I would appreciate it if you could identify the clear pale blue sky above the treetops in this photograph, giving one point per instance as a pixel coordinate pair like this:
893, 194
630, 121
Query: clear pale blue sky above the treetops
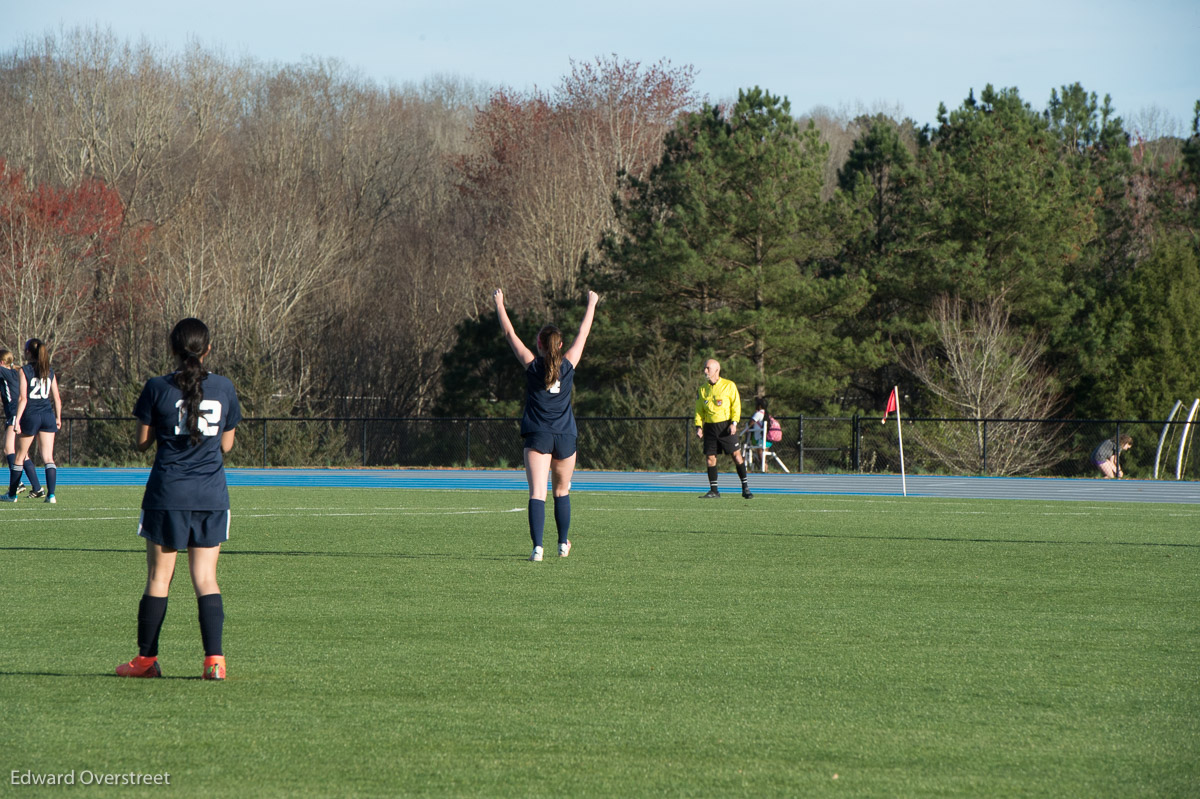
873, 55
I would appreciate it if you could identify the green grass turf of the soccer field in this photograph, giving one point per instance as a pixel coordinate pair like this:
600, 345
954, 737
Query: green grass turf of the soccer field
399, 644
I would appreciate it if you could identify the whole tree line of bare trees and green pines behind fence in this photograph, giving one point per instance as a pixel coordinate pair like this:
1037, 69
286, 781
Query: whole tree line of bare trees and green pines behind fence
343, 239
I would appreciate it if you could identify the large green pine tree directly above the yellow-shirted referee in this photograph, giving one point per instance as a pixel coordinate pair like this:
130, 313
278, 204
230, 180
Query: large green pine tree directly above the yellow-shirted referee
728, 245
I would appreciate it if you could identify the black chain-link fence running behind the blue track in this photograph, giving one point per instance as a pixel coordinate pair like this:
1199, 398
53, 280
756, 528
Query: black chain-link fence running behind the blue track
812, 444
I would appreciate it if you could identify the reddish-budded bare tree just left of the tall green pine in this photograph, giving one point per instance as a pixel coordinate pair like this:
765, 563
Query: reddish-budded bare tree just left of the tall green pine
547, 166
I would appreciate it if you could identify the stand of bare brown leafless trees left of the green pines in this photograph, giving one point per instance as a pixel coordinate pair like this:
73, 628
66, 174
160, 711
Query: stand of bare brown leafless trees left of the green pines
301, 205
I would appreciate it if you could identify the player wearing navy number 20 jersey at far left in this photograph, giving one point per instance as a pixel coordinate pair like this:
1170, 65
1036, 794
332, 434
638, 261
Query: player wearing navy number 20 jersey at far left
39, 413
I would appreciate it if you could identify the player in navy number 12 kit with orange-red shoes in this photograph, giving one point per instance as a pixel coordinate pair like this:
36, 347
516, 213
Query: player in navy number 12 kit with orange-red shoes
194, 416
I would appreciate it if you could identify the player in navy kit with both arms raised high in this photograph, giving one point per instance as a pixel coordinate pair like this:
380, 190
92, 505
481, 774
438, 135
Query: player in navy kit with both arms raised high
548, 425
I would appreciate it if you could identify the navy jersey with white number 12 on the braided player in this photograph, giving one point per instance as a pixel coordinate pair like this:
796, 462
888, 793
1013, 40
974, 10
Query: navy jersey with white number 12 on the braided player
185, 477
